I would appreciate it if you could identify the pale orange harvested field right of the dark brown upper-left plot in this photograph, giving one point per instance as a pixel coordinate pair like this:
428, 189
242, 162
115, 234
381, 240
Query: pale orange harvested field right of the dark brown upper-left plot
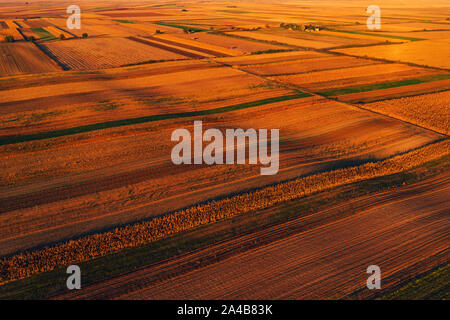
99, 53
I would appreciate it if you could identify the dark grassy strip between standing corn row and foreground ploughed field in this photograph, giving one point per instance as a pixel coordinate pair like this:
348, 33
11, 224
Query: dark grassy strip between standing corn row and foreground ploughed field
42, 285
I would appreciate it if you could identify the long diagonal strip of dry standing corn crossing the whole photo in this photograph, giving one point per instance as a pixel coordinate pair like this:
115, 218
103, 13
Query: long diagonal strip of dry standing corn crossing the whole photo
92, 246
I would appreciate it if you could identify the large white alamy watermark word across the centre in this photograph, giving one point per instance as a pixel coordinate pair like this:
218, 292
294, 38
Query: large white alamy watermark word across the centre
222, 148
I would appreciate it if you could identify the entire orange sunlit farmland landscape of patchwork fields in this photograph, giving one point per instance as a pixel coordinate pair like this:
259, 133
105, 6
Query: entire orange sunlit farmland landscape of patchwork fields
87, 178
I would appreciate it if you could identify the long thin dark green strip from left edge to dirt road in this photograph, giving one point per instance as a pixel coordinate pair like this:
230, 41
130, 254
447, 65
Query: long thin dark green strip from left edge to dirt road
140, 120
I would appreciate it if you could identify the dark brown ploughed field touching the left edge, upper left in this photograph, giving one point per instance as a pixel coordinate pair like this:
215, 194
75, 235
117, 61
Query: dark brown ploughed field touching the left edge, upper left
22, 58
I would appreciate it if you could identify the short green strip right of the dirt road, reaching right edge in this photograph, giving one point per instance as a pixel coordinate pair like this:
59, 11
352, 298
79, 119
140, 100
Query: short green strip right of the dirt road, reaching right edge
384, 85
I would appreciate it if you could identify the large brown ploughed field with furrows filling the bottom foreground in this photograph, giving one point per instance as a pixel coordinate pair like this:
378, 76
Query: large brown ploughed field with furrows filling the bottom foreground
395, 230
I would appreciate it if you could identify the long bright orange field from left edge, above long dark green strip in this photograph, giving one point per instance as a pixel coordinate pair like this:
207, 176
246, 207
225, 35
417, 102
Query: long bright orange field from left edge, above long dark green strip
176, 85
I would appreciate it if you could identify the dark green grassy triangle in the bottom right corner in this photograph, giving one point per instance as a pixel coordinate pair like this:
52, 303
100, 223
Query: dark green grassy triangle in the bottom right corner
433, 286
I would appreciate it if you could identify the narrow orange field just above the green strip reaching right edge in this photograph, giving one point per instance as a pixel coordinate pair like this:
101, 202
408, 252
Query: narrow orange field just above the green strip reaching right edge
309, 65
